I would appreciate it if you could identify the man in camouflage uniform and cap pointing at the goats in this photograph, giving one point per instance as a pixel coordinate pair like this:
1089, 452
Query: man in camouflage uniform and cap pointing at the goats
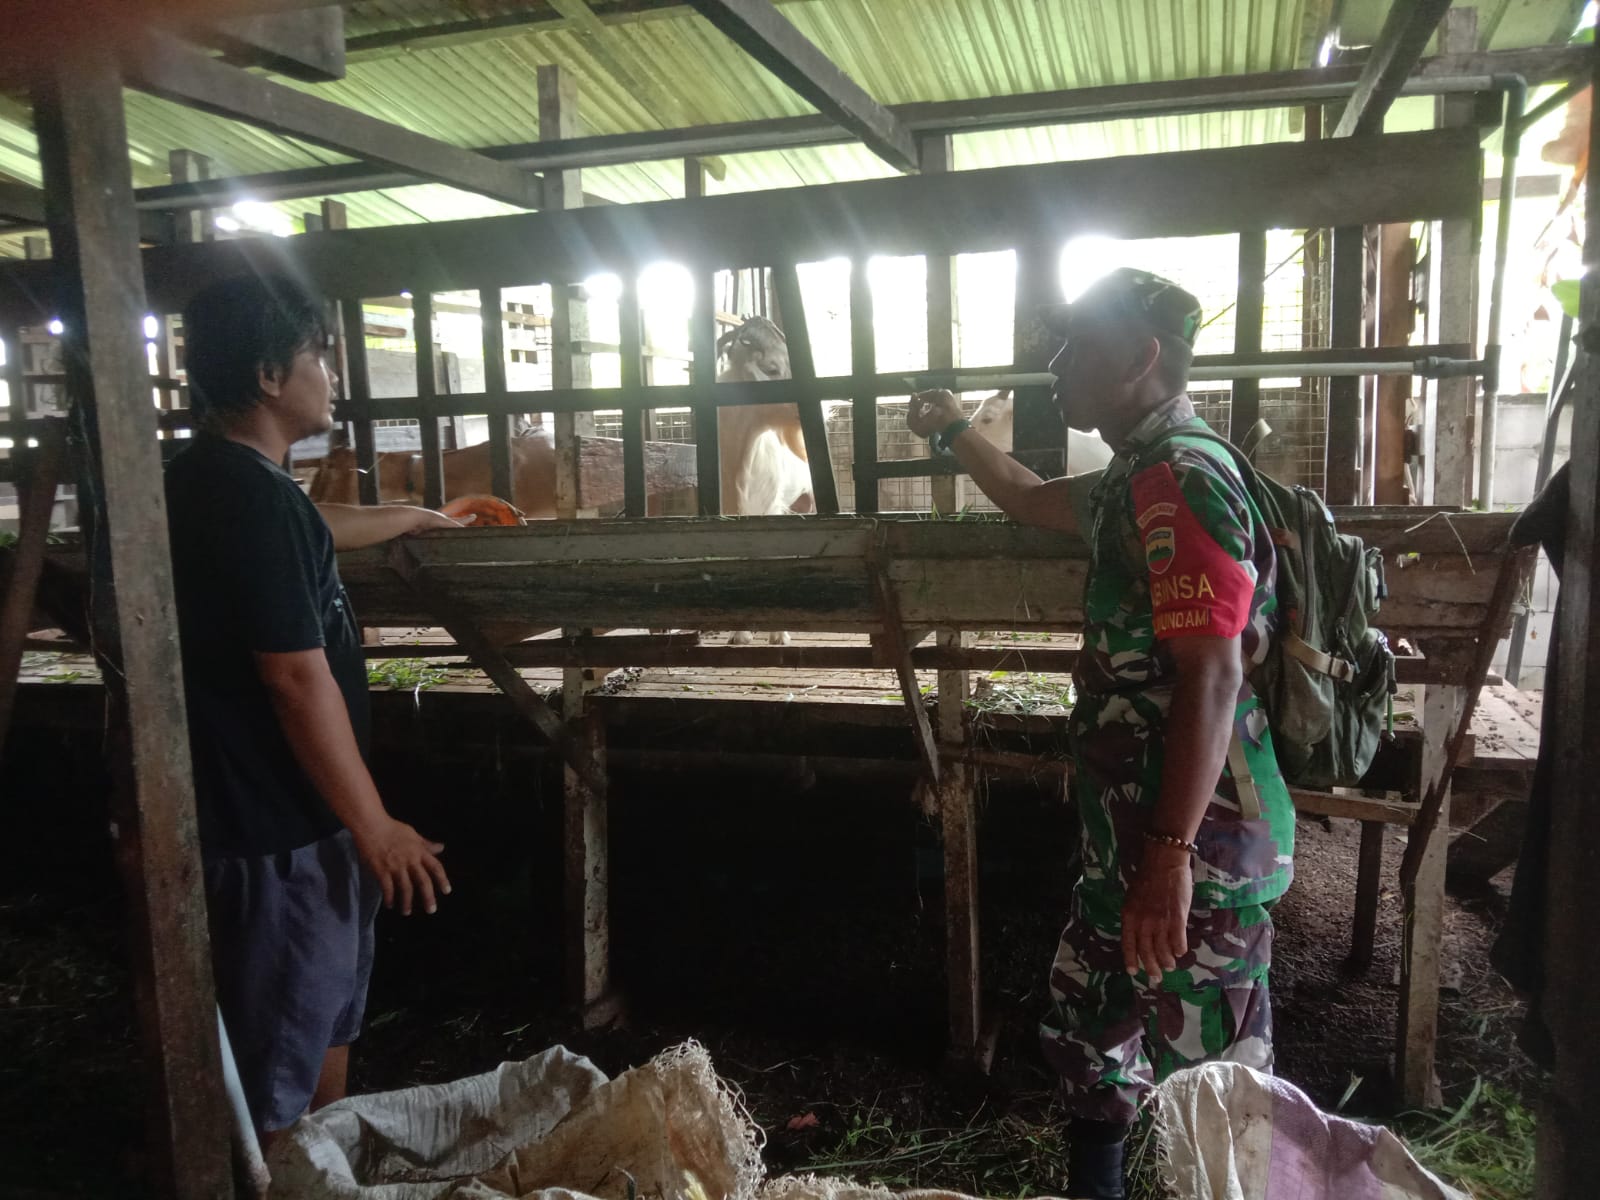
1164, 961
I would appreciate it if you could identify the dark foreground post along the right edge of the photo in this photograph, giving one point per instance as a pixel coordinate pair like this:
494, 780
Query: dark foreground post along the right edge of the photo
1569, 1153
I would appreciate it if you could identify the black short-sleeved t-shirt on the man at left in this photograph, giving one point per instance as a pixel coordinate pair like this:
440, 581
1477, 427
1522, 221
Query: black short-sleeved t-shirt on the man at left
254, 570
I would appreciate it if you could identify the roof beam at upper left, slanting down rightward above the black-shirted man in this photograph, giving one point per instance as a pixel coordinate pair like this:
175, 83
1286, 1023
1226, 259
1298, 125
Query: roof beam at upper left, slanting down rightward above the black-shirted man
167, 68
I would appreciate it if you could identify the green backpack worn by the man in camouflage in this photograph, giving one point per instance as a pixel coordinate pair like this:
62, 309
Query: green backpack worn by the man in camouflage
1329, 673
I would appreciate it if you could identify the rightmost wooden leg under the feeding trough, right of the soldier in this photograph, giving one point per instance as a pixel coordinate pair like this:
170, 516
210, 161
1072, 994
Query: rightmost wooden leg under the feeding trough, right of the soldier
1425, 919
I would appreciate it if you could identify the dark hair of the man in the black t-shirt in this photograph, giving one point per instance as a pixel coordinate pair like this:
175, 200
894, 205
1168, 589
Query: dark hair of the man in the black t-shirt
236, 329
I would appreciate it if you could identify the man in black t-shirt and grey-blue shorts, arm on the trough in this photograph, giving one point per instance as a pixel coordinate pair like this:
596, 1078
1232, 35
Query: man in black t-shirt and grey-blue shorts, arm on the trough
298, 847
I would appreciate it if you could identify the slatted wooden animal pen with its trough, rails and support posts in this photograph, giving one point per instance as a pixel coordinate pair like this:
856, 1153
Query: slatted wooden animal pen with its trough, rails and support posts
892, 591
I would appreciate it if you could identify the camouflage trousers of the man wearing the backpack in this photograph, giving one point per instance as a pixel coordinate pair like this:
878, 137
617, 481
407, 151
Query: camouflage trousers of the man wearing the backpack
1114, 1036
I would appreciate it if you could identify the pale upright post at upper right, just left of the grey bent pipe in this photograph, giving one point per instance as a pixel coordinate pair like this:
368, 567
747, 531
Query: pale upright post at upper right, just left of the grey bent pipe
1458, 287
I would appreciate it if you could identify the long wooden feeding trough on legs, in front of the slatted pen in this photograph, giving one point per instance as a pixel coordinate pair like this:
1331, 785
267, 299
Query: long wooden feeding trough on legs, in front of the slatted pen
1450, 580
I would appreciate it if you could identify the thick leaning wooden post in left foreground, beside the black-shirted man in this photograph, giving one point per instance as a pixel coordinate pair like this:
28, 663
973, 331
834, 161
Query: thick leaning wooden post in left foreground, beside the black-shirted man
95, 234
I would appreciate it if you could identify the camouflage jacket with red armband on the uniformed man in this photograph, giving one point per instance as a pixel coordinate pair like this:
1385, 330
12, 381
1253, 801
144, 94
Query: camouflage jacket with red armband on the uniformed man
1178, 548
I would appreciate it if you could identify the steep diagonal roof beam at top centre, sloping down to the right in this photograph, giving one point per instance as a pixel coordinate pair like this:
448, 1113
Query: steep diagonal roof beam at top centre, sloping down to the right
772, 41
